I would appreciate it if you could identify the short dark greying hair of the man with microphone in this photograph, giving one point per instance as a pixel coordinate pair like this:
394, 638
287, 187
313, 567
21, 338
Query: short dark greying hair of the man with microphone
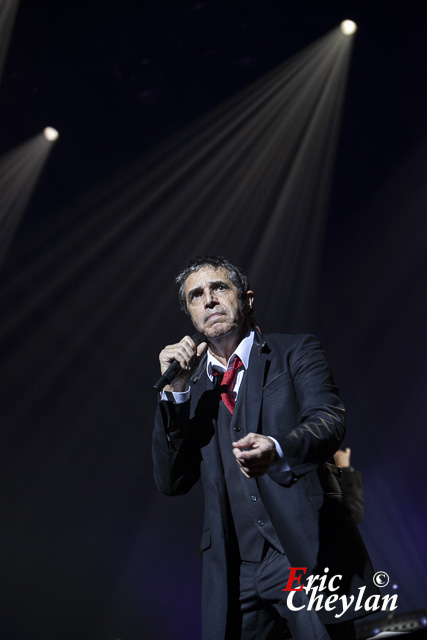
237, 276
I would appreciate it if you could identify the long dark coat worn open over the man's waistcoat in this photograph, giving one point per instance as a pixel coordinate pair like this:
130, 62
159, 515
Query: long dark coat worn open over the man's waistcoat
290, 395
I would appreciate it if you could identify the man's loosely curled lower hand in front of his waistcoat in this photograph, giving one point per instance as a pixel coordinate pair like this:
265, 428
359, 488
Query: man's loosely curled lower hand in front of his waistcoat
255, 454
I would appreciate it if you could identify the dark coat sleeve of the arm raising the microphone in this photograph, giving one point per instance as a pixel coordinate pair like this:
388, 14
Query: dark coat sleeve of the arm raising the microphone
176, 453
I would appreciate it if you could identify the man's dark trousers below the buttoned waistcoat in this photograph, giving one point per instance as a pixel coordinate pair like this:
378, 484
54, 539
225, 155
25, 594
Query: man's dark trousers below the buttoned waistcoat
264, 611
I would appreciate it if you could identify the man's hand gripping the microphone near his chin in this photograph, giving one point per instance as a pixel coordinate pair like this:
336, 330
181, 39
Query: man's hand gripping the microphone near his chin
188, 355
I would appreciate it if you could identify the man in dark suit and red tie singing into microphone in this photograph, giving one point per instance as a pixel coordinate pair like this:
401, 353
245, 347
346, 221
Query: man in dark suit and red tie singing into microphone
258, 418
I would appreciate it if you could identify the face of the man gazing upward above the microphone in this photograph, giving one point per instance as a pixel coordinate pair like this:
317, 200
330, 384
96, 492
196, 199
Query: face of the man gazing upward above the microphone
213, 302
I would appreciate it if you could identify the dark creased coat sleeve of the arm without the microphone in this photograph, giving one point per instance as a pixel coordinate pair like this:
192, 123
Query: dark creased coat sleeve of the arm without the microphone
320, 424
